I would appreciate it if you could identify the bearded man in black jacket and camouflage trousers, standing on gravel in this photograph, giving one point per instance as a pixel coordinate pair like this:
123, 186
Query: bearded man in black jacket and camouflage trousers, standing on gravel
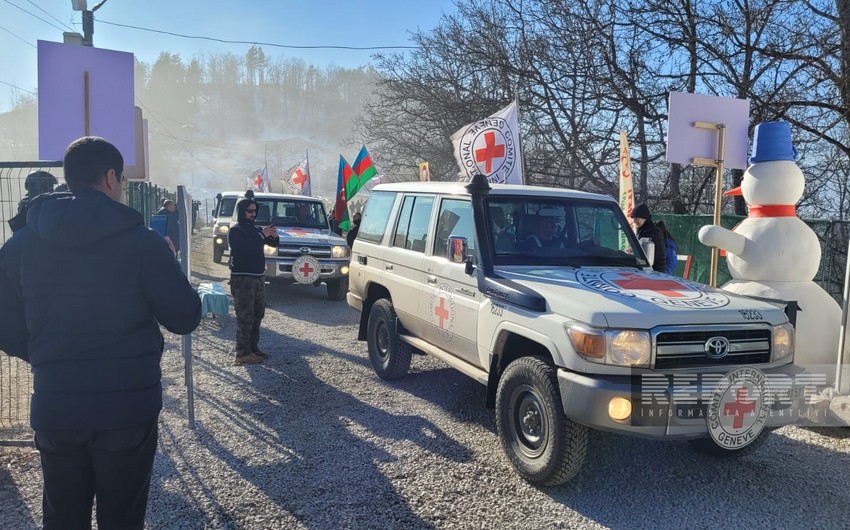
247, 279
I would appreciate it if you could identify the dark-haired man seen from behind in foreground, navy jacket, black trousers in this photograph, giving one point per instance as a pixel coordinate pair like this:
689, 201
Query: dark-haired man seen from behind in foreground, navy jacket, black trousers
84, 288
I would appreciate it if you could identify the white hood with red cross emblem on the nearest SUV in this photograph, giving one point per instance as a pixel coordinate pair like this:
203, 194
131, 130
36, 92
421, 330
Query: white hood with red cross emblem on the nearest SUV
634, 298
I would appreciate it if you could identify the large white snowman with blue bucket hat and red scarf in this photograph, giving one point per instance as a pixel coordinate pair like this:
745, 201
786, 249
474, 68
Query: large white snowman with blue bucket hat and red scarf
773, 254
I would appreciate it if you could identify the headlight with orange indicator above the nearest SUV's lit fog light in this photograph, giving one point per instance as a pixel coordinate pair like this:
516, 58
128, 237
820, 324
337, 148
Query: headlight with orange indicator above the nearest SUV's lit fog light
622, 347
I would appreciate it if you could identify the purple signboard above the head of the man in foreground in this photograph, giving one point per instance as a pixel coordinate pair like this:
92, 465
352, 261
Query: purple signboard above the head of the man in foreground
69, 76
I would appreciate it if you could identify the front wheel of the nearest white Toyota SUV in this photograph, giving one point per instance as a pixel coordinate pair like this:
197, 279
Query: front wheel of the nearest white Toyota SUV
544, 446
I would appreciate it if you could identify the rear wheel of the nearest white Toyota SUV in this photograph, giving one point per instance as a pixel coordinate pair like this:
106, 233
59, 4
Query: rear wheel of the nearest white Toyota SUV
390, 356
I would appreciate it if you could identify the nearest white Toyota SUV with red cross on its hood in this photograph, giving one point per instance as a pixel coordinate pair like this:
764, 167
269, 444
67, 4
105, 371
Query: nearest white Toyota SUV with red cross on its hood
546, 297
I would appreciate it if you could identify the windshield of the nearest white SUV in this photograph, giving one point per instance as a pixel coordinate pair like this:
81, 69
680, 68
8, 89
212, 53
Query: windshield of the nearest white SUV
560, 232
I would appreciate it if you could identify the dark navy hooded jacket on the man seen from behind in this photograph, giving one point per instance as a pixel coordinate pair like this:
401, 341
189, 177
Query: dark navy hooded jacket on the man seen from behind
84, 287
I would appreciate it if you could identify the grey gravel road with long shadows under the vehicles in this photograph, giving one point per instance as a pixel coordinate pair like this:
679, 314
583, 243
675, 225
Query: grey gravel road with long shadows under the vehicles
314, 439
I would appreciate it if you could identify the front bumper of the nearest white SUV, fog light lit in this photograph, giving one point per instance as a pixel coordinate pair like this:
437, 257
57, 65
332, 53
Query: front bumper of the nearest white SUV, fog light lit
668, 406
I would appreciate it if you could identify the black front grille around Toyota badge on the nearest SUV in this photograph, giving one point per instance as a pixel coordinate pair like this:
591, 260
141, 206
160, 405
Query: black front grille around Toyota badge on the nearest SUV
686, 349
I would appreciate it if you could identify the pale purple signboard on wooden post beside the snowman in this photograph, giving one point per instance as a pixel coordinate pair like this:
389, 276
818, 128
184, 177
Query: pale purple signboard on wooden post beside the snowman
686, 142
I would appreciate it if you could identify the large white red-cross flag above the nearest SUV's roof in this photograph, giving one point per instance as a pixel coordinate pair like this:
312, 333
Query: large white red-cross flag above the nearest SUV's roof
490, 147
